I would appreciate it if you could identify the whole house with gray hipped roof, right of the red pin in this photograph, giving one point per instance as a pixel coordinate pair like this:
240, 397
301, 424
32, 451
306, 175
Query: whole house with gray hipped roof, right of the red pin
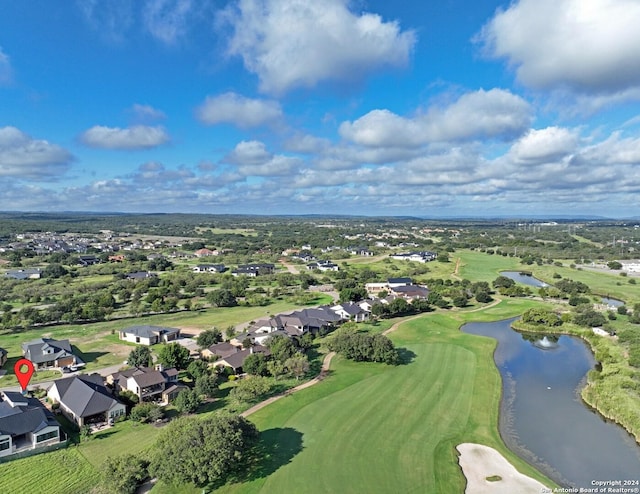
85, 399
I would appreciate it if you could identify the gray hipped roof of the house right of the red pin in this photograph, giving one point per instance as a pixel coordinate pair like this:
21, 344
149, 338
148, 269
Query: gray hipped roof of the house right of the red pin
85, 395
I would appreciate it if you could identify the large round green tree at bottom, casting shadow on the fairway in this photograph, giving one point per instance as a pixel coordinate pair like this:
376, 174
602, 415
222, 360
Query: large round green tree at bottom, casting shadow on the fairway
202, 451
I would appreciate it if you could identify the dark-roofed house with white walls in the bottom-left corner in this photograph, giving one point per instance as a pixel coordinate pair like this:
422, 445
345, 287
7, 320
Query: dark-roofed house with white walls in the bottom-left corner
25, 424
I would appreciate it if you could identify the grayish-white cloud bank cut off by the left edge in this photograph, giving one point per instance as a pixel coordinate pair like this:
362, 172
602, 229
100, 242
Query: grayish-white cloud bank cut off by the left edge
23, 156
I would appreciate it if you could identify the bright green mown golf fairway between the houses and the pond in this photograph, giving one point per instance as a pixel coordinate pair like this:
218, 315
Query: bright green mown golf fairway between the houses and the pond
379, 429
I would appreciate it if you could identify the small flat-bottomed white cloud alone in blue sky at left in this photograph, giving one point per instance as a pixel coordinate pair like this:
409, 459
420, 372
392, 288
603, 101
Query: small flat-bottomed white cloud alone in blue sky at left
136, 137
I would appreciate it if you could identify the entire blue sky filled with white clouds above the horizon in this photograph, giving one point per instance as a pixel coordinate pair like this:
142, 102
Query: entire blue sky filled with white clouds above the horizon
428, 108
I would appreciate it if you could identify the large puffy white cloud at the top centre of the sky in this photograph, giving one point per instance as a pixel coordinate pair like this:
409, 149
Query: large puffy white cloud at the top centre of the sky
299, 43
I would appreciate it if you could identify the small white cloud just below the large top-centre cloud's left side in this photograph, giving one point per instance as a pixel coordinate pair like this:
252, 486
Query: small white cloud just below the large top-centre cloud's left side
238, 110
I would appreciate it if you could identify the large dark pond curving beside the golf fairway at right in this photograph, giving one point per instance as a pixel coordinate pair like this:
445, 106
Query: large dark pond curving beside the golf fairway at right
544, 420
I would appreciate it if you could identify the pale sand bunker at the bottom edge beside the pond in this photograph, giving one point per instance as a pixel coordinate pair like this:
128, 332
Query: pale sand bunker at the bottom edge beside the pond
488, 472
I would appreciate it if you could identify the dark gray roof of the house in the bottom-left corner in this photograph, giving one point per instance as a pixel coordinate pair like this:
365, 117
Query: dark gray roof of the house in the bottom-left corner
20, 415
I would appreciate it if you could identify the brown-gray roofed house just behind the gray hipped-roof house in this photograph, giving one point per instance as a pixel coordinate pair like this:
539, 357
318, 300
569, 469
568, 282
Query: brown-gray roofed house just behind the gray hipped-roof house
147, 383
